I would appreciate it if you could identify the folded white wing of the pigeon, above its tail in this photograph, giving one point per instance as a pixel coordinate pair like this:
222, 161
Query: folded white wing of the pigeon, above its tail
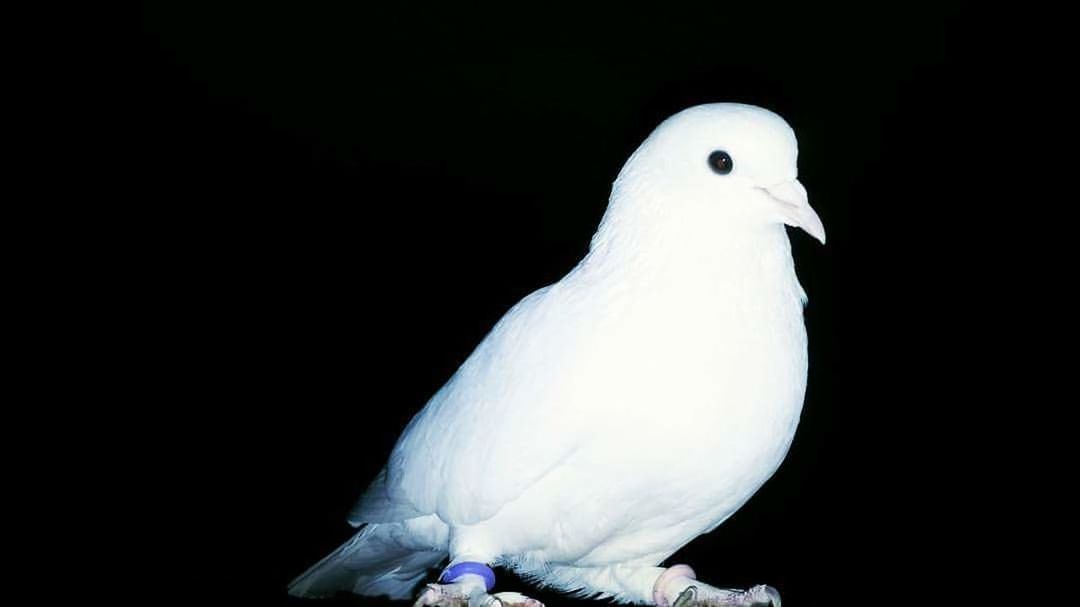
496, 428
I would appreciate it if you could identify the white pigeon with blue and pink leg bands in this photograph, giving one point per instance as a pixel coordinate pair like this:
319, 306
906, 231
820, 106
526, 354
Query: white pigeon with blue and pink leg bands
614, 416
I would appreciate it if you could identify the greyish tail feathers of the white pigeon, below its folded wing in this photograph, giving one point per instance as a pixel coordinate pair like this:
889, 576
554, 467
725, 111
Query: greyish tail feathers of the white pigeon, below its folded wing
370, 564
